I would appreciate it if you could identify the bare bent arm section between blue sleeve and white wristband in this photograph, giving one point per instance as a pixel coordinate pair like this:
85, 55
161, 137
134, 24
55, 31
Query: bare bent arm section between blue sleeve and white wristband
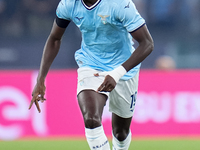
146, 46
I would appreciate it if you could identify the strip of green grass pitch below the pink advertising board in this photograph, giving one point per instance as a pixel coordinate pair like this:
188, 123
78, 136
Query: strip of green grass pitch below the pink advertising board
81, 144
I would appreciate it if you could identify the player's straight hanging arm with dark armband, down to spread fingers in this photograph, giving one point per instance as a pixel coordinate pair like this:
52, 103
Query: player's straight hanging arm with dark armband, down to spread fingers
50, 51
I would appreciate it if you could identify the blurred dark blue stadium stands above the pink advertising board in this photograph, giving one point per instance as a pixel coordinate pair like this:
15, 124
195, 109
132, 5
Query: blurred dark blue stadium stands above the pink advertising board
25, 25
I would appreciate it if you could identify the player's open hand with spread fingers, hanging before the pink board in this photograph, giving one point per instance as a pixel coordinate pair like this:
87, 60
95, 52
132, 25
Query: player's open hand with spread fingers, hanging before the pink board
38, 95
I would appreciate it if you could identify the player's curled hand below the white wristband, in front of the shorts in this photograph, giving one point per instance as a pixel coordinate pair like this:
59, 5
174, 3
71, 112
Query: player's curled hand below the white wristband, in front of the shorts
108, 84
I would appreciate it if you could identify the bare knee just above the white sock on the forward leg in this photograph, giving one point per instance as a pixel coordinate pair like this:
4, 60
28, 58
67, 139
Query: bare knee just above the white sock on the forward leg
92, 122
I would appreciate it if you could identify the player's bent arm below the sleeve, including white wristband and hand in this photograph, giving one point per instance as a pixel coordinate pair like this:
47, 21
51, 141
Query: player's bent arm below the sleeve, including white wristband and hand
146, 45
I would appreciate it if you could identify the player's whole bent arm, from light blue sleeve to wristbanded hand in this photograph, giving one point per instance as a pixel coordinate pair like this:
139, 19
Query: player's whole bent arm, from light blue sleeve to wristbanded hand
135, 24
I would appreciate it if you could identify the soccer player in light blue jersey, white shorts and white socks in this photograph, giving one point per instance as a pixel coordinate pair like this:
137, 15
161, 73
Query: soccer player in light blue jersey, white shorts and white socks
108, 64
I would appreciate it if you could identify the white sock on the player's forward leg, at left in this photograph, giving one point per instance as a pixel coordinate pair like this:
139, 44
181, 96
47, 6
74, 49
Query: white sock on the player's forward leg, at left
97, 139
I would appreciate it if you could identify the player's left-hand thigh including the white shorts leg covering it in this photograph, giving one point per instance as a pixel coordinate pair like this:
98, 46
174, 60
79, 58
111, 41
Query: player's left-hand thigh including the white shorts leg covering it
90, 101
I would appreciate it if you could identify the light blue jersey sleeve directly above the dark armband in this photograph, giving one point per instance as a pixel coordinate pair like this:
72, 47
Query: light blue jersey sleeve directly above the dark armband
63, 10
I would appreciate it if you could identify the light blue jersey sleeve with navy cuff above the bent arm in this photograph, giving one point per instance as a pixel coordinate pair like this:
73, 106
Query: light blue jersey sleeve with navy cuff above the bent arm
129, 16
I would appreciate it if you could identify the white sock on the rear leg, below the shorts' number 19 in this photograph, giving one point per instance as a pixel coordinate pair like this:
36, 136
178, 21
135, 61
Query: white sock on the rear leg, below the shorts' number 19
121, 145
